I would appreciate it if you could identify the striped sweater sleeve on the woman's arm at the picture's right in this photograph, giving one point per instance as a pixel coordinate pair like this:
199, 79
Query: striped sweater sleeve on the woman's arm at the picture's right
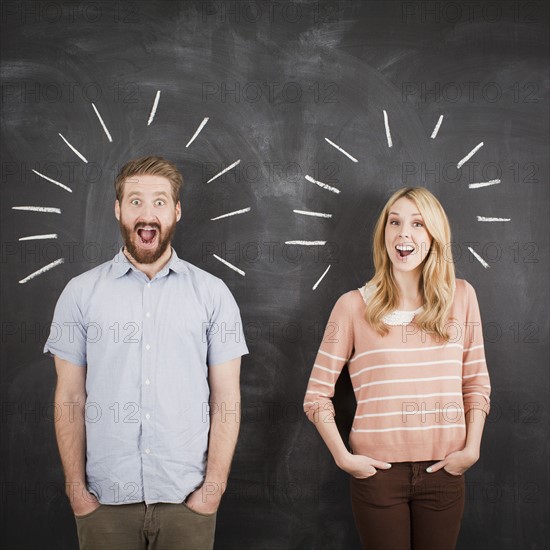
476, 386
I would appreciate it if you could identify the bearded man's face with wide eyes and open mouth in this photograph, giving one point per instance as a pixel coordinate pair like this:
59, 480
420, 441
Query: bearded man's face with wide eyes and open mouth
147, 216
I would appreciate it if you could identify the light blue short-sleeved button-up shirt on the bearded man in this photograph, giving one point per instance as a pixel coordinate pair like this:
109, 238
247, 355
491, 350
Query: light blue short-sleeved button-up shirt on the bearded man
147, 345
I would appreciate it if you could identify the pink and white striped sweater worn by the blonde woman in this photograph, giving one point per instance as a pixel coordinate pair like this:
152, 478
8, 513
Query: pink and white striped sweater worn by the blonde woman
412, 389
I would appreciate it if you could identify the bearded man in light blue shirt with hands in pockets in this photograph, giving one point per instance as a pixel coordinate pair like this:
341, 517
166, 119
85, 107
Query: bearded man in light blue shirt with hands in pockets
147, 351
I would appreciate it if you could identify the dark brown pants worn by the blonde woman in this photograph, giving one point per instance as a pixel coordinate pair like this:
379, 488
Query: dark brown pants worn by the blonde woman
406, 508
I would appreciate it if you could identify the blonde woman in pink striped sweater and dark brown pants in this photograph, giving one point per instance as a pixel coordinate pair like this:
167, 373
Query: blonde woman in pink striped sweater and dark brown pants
412, 339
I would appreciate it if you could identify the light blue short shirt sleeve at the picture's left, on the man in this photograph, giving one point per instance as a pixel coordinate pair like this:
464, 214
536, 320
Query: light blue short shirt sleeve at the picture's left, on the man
67, 337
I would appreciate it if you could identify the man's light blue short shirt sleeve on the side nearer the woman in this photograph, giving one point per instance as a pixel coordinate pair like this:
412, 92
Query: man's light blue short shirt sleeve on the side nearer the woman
225, 335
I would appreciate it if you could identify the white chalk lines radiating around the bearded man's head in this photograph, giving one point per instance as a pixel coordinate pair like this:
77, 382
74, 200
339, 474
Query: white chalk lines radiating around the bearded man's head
56, 210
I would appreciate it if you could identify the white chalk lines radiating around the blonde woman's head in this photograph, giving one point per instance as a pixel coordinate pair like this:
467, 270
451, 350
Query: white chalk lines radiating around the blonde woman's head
389, 141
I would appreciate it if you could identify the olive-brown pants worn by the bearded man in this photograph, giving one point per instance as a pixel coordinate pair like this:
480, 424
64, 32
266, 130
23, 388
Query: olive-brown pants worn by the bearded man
139, 527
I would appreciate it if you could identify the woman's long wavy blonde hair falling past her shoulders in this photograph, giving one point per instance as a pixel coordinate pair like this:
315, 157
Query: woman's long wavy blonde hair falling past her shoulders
437, 281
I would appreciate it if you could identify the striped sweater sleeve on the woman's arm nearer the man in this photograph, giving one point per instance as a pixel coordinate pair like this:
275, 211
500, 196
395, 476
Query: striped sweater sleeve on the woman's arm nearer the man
335, 350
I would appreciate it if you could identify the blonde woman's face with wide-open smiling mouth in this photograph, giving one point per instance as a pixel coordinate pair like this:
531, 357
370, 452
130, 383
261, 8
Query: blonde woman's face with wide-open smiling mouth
407, 239
